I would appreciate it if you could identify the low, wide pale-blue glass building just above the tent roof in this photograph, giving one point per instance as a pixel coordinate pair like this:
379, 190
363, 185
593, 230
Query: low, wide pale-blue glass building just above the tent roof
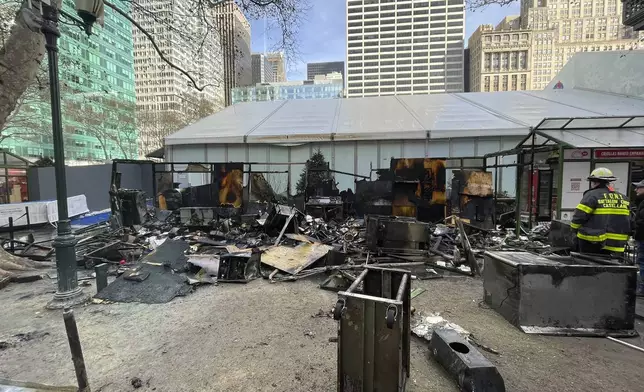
323, 86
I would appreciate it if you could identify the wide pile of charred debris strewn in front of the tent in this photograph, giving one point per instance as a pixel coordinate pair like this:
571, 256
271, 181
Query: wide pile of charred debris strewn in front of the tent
171, 252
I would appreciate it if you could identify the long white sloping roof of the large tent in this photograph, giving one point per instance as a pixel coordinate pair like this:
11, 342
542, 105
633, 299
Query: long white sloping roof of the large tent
436, 116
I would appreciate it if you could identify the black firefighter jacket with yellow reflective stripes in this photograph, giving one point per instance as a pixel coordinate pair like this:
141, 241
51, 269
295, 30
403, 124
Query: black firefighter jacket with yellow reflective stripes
603, 216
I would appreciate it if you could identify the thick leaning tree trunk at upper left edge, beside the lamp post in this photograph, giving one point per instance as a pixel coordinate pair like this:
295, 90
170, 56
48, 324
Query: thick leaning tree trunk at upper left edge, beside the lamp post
20, 60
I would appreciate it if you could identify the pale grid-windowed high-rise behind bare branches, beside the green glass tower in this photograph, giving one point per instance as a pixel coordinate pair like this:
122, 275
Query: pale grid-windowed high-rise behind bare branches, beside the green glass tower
165, 97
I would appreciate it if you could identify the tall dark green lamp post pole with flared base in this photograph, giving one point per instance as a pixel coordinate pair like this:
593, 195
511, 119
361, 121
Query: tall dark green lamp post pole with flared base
68, 293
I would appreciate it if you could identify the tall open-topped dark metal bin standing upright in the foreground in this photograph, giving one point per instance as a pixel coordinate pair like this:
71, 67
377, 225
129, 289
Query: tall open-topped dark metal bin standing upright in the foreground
374, 332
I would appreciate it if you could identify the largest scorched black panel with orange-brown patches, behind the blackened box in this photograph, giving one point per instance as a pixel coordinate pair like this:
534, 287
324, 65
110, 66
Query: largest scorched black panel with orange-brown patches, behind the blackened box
419, 188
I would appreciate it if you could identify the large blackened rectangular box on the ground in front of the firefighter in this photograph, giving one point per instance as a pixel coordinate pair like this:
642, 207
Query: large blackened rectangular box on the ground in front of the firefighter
575, 295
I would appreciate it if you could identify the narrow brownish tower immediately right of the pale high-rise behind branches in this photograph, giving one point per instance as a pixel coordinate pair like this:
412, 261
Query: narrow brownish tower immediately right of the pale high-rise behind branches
234, 35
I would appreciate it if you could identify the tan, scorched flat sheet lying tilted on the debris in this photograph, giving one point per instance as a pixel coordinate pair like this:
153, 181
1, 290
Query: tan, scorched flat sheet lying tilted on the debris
294, 260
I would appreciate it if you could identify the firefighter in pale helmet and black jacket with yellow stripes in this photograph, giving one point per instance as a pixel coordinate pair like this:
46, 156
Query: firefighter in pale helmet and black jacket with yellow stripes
602, 217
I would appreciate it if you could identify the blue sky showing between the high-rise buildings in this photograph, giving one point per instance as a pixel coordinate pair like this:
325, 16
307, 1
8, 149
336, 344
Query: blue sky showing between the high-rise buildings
322, 36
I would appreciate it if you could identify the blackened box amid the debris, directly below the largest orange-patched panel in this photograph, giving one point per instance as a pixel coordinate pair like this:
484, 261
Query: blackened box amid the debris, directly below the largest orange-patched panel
385, 232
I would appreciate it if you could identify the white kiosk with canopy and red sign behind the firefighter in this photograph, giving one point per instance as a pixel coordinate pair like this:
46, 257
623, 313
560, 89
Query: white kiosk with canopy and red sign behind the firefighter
558, 155
